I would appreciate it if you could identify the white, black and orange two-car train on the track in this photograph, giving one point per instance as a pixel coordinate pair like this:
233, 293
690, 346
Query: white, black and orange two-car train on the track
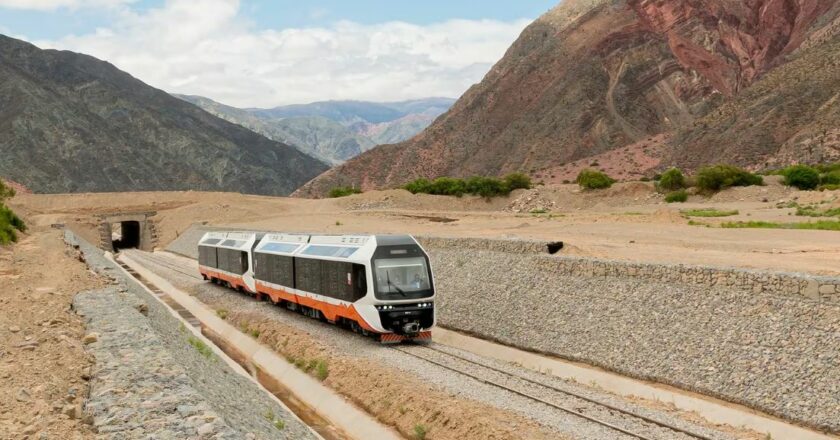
377, 285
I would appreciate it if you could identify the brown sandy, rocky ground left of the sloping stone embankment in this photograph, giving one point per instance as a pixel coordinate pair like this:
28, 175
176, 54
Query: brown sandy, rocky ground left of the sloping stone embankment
43, 366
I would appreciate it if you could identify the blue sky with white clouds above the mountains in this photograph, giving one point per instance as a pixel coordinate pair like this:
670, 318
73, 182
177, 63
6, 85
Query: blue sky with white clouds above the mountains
264, 53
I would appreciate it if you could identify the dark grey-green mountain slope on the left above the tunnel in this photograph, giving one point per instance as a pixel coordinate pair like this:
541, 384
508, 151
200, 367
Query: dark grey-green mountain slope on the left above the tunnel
71, 123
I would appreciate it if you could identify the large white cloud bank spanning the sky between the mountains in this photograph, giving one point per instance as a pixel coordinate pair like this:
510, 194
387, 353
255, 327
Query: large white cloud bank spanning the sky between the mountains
205, 47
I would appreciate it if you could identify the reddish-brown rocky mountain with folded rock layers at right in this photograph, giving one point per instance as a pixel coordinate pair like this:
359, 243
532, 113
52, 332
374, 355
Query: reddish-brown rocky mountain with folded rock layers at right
635, 85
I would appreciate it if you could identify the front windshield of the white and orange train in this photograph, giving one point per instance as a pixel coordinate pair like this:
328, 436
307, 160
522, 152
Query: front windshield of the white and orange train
398, 278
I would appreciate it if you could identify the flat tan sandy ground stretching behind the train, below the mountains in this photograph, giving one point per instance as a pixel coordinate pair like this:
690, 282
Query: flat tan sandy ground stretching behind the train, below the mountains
628, 222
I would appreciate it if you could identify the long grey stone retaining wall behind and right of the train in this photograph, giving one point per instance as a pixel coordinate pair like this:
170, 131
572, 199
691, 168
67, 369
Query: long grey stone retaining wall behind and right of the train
767, 340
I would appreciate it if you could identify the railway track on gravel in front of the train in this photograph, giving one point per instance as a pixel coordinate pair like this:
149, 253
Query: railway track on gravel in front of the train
622, 420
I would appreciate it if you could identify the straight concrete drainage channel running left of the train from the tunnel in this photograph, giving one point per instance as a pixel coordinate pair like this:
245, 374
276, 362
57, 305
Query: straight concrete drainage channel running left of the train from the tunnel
319, 407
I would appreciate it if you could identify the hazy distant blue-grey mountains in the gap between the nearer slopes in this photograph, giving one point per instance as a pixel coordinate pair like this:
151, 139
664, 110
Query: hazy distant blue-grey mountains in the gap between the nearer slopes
334, 131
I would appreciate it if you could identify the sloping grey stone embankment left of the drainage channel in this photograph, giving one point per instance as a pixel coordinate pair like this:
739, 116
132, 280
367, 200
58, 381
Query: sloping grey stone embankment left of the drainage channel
154, 376
